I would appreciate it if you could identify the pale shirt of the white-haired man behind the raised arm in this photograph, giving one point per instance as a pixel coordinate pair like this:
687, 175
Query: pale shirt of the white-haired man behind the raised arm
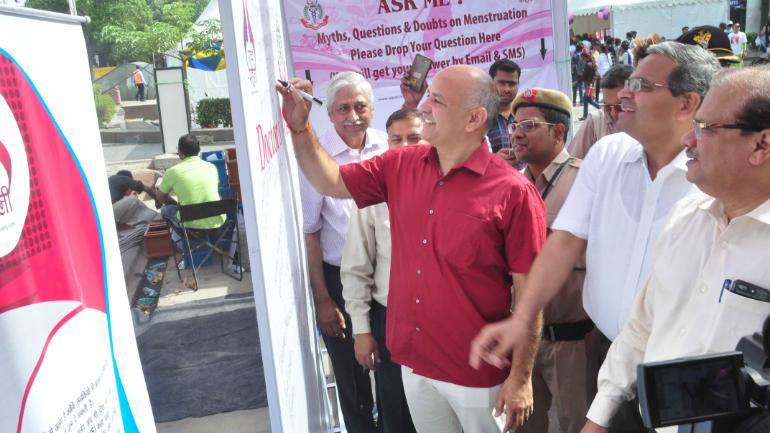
331, 215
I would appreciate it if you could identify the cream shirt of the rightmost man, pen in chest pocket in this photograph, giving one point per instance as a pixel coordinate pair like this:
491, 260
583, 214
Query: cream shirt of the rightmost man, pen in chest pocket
682, 309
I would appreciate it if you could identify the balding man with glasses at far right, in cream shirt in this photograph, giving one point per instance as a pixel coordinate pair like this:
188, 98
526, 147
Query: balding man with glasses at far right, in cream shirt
686, 307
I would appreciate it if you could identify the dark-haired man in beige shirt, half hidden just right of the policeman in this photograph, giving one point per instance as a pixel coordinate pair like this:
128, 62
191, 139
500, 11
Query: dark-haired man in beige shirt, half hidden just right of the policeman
602, 122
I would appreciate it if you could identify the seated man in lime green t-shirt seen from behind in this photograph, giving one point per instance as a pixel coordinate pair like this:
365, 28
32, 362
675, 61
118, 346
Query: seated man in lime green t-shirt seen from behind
193, 181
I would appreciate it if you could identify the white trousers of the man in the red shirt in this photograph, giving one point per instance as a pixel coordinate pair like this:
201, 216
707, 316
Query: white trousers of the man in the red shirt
442, 407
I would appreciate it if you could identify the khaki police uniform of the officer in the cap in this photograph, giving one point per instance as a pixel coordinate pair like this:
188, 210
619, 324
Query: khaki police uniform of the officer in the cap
560, 369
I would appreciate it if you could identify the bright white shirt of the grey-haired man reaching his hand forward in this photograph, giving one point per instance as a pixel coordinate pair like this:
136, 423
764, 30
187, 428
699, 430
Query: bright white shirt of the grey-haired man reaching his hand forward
620, 211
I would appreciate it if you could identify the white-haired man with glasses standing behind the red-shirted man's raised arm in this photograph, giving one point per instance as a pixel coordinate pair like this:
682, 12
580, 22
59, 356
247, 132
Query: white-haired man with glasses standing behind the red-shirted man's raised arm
350, 108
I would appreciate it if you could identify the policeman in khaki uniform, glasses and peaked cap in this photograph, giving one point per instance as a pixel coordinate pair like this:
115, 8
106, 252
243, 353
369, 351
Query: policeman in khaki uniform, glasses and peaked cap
559, 376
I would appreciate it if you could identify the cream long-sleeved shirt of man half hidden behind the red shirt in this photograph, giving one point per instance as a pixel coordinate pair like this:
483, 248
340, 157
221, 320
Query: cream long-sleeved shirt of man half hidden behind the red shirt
365, 270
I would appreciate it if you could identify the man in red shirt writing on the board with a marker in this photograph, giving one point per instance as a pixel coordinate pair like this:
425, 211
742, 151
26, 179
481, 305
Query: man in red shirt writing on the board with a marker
465, 226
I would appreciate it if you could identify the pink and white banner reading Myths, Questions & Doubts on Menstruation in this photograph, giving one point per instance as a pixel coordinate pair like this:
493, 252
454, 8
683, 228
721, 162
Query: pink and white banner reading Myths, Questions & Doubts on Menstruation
380, 38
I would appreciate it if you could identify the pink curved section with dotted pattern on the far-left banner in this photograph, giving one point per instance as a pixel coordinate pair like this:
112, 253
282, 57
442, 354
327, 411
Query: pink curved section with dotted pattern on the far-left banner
50, 247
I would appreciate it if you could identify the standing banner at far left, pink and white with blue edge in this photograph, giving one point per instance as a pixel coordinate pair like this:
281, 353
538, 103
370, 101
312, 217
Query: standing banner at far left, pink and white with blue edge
69, 361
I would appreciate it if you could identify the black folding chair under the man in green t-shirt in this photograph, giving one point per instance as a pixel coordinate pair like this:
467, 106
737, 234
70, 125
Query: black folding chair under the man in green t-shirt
192, 239
